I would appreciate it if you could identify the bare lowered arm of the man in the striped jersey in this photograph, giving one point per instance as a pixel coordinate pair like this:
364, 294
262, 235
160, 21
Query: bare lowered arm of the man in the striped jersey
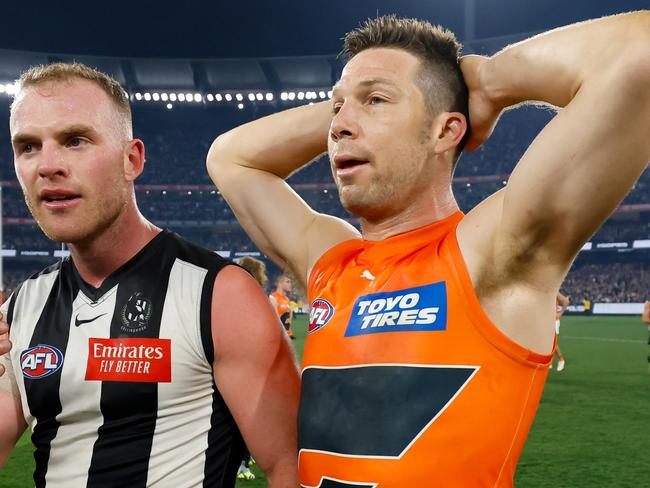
256, 372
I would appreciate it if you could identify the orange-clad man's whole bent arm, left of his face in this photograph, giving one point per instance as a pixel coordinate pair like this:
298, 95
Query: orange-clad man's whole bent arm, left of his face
249, 165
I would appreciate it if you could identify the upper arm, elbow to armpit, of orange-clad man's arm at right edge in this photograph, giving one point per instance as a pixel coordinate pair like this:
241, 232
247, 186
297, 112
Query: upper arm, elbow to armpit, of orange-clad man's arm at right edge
577, 171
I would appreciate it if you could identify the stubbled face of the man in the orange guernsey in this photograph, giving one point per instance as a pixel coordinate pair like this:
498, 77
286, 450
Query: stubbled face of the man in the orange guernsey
379, 142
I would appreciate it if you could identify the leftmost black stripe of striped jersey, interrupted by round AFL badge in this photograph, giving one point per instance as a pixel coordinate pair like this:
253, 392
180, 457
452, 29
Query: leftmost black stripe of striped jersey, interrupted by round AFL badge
52, 329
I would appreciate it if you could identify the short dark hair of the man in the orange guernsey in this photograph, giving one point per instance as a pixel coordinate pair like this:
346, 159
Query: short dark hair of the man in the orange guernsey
440, 78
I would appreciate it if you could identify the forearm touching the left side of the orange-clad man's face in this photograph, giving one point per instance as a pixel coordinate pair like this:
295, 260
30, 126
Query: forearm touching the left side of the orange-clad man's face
279, 143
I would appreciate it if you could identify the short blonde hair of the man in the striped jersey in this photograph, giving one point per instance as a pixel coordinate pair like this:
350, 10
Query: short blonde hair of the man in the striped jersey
66, 72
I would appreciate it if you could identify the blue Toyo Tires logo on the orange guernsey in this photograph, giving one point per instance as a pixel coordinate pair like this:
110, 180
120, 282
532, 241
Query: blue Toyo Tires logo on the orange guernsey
423, 308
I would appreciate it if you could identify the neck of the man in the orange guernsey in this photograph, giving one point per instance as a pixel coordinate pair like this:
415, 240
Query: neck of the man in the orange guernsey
420, 213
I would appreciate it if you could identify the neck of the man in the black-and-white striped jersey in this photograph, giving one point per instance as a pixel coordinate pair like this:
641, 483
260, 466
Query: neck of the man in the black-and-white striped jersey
97, 259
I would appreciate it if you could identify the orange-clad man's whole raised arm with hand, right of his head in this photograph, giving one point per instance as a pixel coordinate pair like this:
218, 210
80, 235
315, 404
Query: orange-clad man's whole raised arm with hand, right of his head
599, 71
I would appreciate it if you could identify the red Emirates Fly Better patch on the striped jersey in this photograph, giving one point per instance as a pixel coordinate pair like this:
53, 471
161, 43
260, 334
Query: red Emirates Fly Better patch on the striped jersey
129, 359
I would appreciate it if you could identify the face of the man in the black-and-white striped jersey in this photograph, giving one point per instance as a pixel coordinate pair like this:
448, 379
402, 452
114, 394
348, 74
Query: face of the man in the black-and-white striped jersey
69, 158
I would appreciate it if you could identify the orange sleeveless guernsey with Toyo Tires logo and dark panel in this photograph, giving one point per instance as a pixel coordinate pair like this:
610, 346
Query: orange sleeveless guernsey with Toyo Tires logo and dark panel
406, 383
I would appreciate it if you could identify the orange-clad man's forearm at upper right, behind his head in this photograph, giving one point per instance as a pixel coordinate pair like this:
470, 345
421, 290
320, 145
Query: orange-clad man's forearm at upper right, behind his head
553, 66
